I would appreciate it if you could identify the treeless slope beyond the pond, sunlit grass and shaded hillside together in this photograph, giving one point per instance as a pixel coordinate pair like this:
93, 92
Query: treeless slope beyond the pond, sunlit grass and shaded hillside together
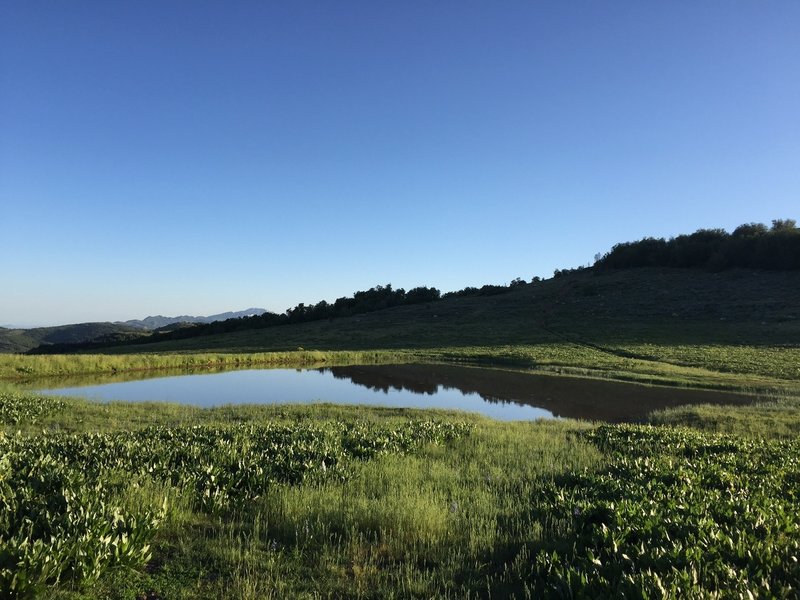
736, 329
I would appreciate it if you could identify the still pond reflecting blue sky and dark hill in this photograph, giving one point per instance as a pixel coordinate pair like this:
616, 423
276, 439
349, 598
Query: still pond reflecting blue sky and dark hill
504, 395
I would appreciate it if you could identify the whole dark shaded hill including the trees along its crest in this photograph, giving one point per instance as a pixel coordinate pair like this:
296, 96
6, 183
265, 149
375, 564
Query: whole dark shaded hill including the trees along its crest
707, 287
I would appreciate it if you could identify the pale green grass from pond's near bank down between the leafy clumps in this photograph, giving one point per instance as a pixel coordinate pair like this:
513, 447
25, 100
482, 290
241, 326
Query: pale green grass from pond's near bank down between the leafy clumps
350, 536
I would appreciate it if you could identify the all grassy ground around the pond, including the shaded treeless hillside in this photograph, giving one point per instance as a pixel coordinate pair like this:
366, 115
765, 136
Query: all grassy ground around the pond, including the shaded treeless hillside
158, 501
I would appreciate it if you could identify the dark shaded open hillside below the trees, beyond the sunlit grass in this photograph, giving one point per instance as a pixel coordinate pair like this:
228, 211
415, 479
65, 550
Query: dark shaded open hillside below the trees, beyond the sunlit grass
656, 305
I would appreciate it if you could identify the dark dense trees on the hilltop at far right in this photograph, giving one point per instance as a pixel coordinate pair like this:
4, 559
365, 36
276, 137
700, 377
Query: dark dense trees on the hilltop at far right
750, 246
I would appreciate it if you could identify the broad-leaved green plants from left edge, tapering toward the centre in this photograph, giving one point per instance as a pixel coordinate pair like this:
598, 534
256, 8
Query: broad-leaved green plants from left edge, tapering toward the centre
63, 515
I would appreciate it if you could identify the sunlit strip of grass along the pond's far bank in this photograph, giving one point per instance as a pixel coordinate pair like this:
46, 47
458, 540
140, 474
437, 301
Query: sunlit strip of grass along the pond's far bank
752, 370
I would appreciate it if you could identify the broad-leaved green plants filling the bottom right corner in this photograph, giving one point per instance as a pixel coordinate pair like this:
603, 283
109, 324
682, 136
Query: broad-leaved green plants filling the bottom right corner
676, 513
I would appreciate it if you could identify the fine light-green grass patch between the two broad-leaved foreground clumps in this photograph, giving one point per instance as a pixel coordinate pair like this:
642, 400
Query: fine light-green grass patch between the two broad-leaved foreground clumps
433, 524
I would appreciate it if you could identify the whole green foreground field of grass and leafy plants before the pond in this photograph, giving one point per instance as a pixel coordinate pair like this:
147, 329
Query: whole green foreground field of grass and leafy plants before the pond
165, 501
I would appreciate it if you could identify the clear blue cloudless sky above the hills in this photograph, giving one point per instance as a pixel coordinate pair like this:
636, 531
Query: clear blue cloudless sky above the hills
187, 157
